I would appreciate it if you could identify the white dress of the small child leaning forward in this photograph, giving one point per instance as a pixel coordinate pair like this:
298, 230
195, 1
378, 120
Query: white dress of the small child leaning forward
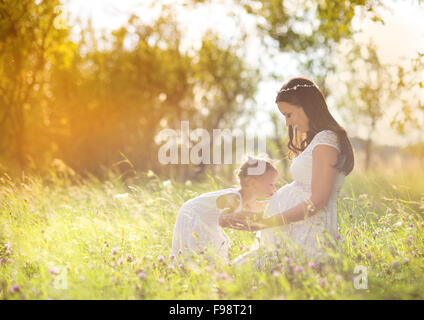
197, 225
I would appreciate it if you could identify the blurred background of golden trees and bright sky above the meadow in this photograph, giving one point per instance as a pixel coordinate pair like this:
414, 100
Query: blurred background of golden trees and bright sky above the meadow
87, 85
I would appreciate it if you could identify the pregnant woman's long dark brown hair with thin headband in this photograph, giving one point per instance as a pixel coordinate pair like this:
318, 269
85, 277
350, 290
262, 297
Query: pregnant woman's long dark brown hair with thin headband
303, 93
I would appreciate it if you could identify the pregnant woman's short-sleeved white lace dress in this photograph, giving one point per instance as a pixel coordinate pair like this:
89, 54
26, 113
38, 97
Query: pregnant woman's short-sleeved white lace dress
303, 236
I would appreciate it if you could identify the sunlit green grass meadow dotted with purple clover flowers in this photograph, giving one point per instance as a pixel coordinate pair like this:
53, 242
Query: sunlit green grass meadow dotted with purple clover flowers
102, 237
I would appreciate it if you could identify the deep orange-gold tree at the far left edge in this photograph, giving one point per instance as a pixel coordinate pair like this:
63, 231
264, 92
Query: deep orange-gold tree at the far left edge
28, 39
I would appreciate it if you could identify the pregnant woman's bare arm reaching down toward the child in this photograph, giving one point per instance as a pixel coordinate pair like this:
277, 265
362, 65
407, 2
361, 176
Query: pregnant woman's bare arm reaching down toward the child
323, 176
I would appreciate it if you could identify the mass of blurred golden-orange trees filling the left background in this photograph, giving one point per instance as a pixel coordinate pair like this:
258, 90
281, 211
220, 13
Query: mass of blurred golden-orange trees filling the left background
89, 101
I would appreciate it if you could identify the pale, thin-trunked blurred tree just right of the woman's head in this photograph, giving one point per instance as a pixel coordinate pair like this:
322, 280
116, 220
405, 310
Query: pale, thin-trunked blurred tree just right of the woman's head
369, 90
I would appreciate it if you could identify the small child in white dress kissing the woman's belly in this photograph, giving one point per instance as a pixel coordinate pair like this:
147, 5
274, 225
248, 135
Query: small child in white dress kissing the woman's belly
198, 222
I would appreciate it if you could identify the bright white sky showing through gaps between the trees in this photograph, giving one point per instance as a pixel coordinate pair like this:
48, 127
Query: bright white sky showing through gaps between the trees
402, 35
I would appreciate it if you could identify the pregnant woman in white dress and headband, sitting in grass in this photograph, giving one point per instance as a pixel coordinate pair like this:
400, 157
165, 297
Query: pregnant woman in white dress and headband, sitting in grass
301, 214
